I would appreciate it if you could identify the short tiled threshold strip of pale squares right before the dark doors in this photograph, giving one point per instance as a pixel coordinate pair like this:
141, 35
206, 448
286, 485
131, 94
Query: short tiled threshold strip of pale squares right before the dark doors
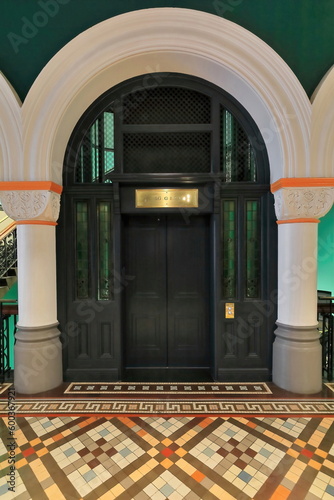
171, 388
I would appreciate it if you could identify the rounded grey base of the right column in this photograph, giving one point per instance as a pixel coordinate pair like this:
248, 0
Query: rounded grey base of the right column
297, 359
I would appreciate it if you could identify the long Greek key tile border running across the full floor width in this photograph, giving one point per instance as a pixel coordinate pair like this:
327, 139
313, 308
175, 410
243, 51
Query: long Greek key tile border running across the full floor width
223, 407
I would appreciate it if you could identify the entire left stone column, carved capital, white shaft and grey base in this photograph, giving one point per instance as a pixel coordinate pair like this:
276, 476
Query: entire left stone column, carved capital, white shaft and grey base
37, 352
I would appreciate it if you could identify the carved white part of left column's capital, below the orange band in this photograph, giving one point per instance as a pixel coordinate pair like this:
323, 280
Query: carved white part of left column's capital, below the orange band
31, 205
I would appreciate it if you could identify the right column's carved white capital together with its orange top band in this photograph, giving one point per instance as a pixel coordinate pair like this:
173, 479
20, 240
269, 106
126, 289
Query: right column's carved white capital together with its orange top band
302, 199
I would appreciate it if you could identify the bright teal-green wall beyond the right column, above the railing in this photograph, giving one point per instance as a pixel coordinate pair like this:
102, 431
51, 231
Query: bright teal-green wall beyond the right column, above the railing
326, 253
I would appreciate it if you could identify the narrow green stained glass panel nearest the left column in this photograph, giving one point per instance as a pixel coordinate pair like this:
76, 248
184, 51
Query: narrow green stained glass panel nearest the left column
82, 273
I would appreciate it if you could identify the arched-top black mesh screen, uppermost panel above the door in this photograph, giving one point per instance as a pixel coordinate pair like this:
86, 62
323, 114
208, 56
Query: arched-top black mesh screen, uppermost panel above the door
162, 105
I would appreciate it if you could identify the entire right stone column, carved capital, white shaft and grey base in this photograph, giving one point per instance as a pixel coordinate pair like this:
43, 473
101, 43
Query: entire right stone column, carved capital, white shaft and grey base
297, 360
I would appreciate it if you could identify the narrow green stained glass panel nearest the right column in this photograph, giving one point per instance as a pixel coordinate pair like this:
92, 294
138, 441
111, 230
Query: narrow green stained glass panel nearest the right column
253, 250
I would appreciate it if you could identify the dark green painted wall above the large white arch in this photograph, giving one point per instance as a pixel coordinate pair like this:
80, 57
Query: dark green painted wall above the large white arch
32, 31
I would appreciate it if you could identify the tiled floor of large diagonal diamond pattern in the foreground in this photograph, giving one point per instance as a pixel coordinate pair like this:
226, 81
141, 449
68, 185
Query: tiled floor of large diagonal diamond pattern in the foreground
192, 458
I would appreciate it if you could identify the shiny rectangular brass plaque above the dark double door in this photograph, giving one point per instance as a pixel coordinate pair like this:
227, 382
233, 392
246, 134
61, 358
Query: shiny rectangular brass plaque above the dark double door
166, 198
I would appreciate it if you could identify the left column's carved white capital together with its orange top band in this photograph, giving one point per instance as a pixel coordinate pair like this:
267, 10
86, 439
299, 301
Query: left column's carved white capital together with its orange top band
31, 202
